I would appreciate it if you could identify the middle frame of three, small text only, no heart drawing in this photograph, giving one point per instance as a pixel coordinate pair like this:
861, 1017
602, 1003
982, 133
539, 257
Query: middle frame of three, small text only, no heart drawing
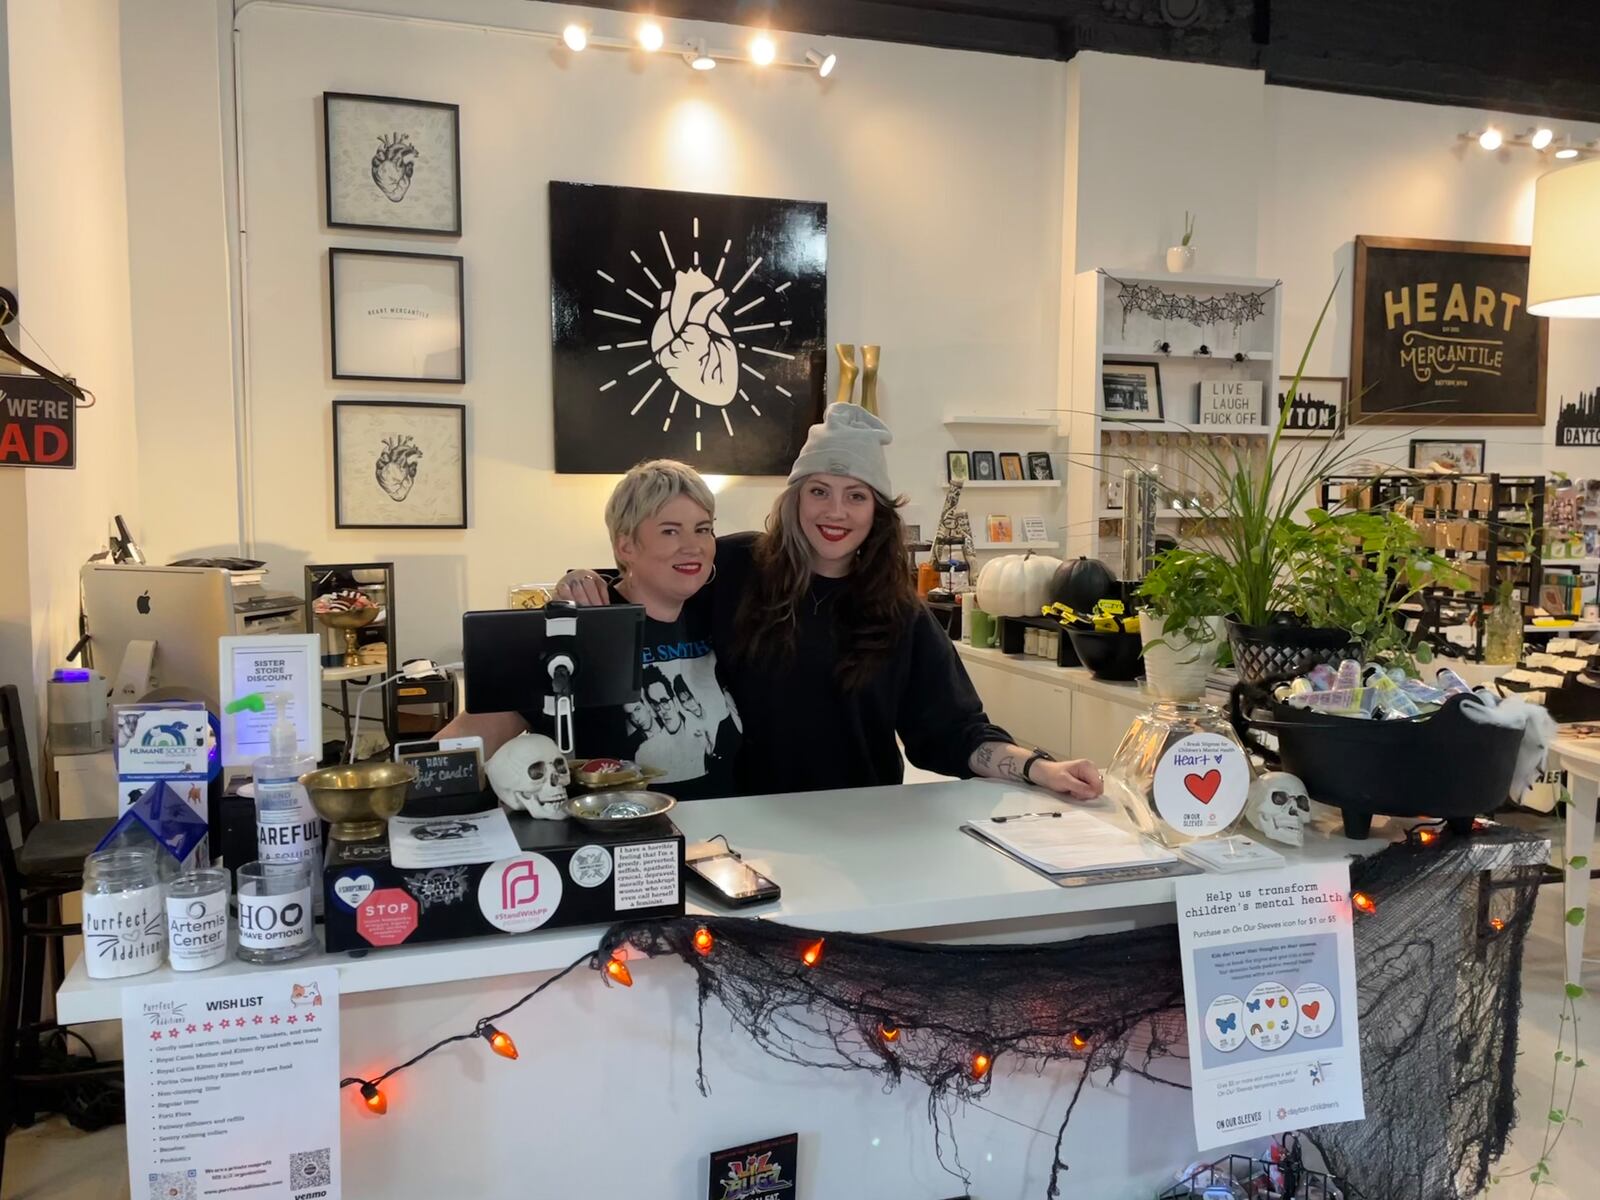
398, 316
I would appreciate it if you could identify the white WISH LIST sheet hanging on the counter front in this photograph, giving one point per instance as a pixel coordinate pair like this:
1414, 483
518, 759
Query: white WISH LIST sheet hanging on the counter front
234, 1087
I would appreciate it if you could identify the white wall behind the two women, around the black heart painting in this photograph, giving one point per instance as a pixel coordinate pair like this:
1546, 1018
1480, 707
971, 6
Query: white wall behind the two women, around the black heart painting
942, 170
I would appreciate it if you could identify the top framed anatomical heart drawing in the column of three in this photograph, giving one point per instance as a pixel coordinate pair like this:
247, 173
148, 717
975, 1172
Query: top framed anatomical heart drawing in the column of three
410, 183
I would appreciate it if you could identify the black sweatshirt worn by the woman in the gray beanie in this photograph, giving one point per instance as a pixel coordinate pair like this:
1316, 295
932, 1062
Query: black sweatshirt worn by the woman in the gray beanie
806, 732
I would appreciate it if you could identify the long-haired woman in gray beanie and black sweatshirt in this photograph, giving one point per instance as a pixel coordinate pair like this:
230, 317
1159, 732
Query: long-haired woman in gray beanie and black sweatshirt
826, 649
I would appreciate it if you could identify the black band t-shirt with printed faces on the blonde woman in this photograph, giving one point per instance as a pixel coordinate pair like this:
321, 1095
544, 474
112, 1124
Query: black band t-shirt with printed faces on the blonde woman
684, 722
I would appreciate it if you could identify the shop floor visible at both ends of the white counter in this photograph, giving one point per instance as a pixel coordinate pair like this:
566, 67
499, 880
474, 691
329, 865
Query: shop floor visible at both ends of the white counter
57, 1162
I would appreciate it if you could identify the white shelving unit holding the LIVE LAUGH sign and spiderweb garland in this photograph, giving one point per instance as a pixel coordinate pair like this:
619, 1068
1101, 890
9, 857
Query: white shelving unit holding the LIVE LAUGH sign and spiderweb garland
1102, 447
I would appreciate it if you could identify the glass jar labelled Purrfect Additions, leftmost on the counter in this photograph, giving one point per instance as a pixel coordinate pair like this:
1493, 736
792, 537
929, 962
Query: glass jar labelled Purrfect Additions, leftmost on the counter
124, 914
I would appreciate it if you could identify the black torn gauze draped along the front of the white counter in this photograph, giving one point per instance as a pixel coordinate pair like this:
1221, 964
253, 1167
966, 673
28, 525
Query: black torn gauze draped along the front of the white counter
1438, 985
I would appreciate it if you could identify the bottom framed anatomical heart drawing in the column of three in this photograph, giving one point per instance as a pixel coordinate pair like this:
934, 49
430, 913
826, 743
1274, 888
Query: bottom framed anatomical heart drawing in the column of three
399, 465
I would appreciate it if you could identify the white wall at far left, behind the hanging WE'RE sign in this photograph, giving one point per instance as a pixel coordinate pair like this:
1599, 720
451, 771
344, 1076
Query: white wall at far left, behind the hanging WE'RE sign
73, 282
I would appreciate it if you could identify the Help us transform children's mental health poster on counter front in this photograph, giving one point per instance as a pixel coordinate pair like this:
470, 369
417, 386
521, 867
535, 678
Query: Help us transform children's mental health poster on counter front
1270, 990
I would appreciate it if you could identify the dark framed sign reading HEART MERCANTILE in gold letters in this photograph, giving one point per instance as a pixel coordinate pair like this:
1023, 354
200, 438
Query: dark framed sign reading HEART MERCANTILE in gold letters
1442, 335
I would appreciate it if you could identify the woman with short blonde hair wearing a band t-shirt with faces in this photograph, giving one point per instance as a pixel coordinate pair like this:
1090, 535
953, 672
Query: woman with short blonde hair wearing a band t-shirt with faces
684, 724
